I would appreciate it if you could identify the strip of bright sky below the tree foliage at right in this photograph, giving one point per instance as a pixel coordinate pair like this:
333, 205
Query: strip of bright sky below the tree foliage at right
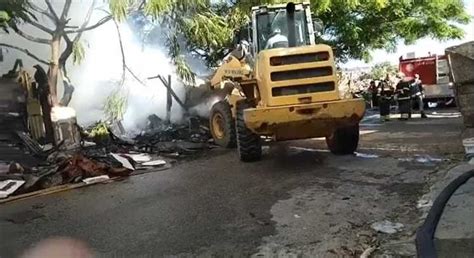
421, 47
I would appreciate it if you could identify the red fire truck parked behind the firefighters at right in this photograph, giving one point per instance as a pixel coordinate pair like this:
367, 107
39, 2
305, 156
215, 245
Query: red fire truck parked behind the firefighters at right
434, 73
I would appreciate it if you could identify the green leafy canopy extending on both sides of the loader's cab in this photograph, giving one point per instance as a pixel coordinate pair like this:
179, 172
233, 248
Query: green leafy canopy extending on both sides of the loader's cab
353, 27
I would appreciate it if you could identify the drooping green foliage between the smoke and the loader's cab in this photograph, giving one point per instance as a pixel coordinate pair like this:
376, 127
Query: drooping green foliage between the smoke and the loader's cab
202, 27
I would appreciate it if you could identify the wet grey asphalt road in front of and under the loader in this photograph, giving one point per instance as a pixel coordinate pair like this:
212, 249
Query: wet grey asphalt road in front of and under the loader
299, 199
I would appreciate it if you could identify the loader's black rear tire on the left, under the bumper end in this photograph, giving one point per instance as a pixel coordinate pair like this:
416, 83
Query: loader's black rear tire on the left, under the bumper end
249, 144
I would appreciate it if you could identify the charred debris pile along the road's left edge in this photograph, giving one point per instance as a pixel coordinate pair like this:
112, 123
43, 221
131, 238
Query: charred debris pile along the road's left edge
100, 158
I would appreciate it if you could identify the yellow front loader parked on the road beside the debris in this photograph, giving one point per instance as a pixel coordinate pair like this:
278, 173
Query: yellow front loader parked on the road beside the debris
283, 85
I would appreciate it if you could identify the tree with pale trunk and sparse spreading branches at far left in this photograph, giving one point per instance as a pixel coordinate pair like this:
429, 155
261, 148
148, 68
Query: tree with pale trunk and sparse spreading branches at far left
60, 34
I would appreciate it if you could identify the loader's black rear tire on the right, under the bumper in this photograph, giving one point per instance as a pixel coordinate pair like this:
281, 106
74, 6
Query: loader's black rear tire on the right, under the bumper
344, 140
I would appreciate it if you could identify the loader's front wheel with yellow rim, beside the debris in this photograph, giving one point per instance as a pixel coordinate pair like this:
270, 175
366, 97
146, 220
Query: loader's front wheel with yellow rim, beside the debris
222, 125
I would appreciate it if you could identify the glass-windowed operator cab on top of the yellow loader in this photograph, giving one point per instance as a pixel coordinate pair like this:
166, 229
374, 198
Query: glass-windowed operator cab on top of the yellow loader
290, 22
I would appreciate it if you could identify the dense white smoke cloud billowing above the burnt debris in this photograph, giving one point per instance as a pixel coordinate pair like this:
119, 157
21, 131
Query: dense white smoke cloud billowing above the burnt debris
102, 69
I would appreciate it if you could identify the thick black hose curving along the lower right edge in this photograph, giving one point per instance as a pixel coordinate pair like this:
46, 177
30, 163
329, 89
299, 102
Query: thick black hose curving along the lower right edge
425, 246
